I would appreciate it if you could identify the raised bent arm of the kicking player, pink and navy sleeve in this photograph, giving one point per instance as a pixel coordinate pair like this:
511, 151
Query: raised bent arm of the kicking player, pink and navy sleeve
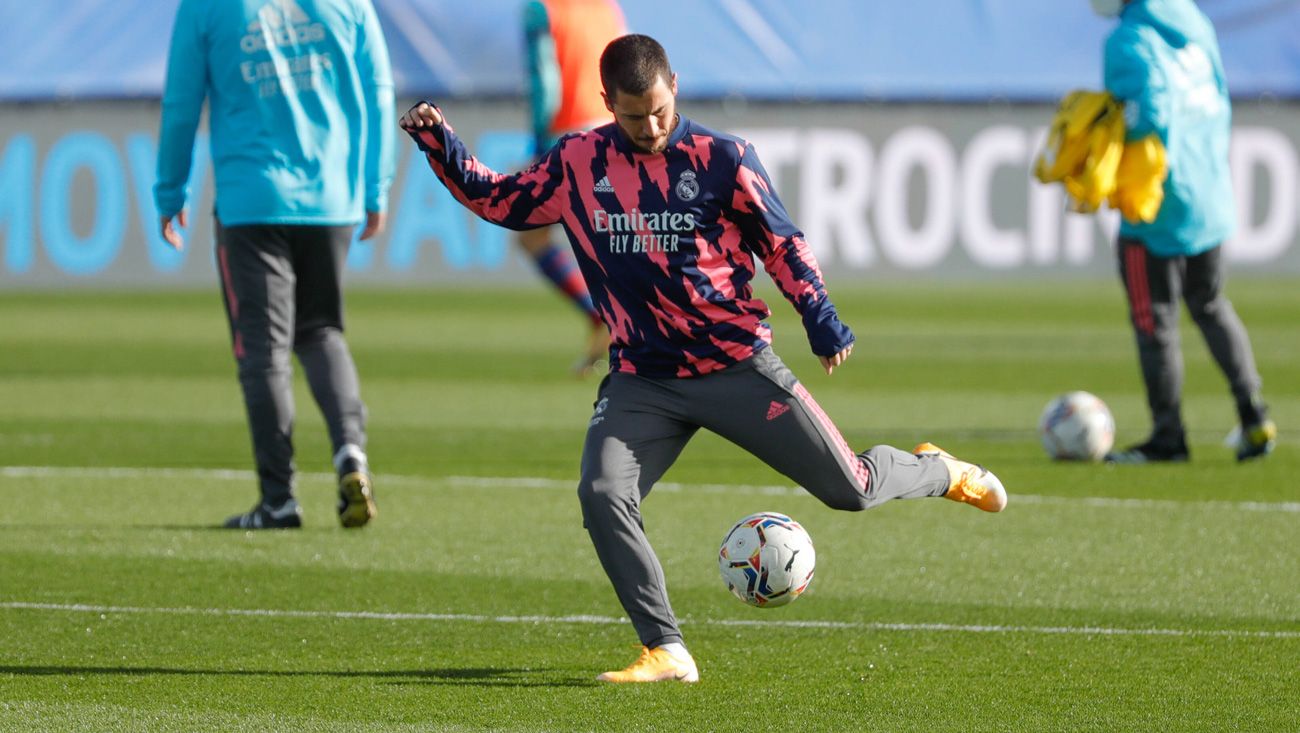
528, 199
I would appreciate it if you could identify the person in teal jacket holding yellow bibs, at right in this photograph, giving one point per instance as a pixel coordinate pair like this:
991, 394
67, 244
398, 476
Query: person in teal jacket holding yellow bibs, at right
1163, 63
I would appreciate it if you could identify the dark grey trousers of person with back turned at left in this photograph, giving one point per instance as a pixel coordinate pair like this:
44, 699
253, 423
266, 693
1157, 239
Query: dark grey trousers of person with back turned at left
283, 289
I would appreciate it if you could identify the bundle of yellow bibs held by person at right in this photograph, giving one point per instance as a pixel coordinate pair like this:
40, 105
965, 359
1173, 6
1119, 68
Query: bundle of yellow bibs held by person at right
1087, 154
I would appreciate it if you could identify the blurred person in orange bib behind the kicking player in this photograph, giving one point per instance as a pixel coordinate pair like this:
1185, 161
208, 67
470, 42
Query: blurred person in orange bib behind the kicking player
565, 40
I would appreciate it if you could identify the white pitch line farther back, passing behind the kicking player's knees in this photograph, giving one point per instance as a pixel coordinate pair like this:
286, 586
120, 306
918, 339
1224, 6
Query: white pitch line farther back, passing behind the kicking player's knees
554, 484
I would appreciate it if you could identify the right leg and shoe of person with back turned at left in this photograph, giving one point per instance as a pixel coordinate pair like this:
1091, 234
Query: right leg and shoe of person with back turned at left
319, 255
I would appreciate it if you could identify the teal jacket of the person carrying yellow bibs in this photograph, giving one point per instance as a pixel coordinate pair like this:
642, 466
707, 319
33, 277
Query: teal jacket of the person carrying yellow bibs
1164, 63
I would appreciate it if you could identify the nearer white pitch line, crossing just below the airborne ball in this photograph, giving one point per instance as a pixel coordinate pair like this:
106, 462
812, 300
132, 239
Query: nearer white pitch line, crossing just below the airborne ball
612, 621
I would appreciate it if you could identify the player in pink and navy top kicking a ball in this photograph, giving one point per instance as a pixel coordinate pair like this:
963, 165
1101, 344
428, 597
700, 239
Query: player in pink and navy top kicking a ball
666, 219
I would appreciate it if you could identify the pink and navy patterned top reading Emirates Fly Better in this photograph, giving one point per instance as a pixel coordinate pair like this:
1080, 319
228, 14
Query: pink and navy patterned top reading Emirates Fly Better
666, 241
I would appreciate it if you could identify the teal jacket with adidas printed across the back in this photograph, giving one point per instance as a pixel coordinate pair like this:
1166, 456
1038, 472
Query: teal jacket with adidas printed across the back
301, 110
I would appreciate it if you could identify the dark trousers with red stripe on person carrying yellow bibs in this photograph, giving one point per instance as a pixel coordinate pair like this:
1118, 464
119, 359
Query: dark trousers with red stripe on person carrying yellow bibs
1154, 287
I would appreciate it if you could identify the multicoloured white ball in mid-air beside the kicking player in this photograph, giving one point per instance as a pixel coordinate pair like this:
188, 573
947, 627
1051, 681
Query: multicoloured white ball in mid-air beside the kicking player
768, 559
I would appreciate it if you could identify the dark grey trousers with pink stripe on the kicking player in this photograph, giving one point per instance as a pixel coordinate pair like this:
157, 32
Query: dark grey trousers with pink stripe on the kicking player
642, 426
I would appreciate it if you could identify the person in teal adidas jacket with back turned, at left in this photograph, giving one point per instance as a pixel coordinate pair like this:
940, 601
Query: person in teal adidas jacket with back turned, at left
301, 111
